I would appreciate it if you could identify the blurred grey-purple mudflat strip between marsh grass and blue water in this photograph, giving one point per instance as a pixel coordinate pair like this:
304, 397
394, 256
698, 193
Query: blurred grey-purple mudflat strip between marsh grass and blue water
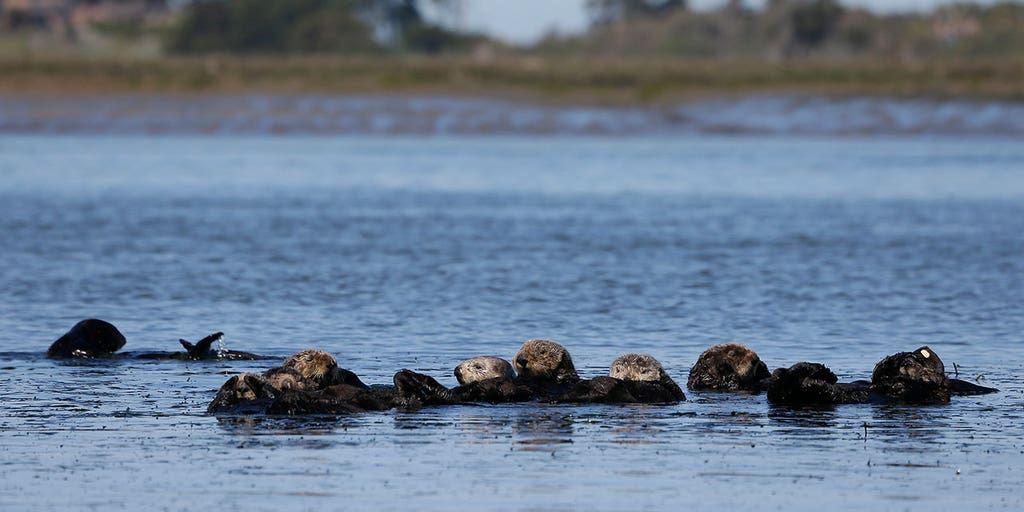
320, 114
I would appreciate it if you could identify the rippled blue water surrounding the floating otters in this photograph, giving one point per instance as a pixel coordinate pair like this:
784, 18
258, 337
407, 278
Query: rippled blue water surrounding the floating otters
420, 252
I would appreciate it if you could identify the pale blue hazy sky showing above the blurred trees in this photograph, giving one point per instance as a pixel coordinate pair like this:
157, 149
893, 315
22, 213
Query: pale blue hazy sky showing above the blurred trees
526, 21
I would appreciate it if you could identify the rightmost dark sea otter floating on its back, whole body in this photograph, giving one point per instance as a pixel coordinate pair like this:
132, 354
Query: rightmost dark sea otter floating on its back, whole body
917, 377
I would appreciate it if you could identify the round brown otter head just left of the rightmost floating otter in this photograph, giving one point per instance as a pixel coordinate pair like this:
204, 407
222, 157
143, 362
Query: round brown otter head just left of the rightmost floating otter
730, 367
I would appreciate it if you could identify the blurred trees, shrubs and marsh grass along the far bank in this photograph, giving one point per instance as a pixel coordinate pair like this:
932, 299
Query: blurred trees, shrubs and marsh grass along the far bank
635, 51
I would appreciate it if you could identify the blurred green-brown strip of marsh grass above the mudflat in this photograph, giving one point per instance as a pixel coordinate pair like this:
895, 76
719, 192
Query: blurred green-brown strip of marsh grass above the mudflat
556, 81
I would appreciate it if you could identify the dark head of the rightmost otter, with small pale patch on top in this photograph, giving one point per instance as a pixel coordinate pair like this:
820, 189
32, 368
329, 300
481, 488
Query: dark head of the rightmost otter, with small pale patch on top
914, 377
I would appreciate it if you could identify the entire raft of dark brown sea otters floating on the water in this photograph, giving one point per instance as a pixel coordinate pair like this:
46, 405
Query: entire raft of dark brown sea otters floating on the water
312, 383
